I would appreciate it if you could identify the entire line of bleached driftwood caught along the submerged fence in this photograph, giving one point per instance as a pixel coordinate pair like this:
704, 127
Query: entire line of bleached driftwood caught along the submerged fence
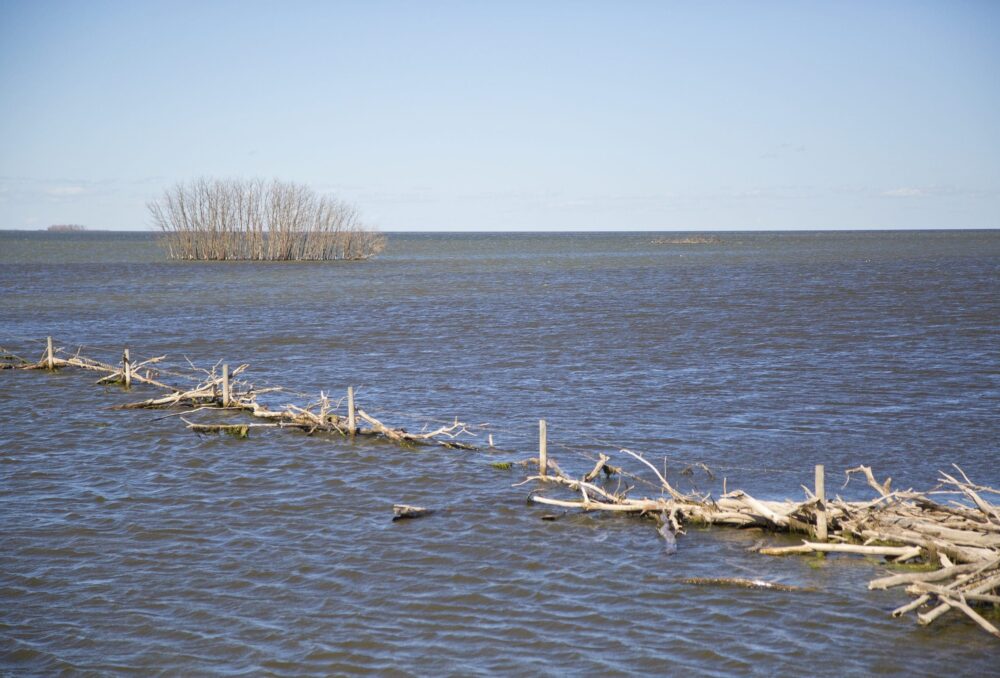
954, 529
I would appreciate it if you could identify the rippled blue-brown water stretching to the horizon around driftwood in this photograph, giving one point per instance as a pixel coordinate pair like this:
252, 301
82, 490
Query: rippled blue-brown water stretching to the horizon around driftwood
130, 545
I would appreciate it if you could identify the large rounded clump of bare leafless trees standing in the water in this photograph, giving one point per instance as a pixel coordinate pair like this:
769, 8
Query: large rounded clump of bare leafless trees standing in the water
234, 219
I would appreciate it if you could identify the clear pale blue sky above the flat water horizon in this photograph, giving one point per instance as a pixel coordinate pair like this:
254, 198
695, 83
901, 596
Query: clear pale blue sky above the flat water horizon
511, 115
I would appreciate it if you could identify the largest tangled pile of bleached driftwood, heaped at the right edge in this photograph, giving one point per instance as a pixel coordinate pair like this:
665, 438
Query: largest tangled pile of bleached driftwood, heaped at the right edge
959, 540
